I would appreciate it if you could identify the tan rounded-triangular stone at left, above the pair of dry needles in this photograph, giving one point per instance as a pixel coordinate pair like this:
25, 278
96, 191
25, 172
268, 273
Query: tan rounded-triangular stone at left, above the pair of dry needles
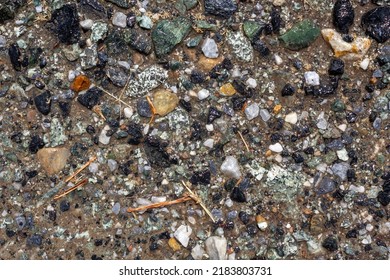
53, 160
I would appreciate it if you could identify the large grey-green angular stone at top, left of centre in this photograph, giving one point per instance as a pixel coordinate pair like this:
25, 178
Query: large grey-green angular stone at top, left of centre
169, 33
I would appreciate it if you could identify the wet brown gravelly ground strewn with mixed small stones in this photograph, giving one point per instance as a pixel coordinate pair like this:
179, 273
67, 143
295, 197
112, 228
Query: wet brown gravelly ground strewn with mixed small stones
309, 176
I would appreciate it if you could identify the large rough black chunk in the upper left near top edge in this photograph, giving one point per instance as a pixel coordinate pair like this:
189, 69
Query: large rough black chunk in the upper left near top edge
66, 21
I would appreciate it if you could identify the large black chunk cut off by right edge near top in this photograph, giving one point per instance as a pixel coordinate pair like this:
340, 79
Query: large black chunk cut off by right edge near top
377, 23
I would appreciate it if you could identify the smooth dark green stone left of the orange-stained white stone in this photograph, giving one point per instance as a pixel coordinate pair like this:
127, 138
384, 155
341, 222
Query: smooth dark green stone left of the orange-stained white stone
301, 35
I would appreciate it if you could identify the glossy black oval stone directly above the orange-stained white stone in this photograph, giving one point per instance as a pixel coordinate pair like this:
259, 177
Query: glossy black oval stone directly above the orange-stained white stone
343, 15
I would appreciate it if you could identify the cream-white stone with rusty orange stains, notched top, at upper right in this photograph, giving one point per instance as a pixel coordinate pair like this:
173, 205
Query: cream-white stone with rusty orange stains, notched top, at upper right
350, 51
